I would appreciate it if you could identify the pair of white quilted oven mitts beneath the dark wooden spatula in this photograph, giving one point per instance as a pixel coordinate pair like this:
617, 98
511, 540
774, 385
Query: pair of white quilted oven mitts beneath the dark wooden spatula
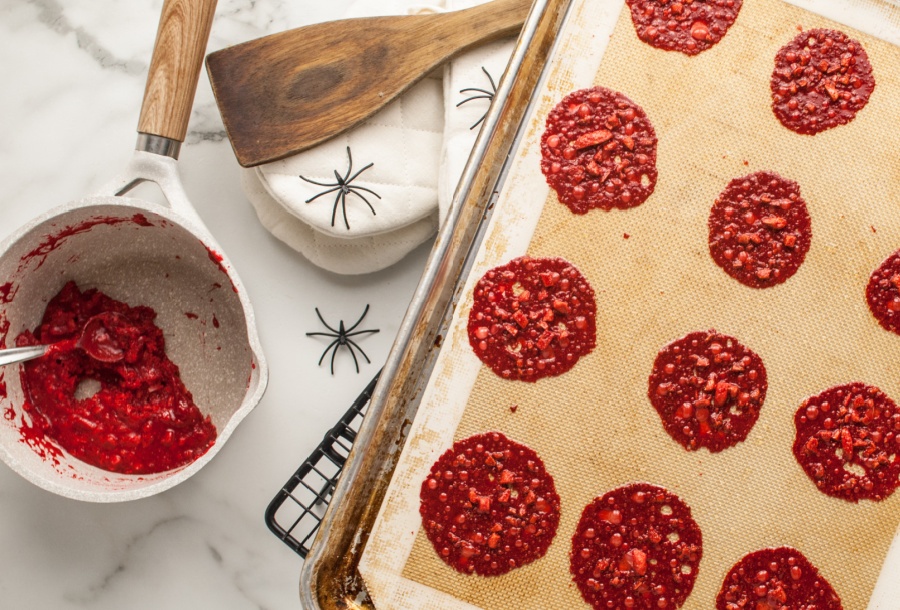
417, 147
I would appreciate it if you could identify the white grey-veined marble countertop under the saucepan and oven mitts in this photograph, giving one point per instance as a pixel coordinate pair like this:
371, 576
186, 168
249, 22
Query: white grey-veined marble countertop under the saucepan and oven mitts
73, 74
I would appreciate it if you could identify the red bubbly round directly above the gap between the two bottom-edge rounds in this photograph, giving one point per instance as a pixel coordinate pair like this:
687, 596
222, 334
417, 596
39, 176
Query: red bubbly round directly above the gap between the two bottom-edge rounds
708, 390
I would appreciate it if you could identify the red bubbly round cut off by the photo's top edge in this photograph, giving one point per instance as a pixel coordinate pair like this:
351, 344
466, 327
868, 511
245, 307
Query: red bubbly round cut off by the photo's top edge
689, 27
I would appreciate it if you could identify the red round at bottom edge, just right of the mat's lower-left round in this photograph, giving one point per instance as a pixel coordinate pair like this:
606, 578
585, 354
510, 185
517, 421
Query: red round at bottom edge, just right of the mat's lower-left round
636, 547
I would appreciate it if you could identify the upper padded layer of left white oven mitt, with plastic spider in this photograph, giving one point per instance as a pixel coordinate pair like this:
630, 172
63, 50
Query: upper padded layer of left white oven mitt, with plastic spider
388, 164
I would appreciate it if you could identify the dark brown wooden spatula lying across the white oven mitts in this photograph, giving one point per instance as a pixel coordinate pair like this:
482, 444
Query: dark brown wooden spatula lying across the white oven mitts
287, 92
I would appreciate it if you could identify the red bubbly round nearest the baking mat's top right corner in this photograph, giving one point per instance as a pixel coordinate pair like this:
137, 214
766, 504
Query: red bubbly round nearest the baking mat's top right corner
822, 78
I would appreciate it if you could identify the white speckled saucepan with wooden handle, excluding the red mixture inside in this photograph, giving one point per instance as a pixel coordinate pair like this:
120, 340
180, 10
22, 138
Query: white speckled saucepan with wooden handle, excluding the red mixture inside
141, 253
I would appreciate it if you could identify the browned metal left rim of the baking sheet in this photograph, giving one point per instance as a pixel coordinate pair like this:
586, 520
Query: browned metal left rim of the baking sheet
341, 538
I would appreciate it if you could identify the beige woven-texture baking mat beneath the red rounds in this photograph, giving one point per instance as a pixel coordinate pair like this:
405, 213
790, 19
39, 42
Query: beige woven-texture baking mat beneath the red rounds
594, 425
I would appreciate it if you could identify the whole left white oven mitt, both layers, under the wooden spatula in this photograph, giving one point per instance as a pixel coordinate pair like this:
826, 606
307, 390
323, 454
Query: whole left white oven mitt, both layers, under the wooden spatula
403, 144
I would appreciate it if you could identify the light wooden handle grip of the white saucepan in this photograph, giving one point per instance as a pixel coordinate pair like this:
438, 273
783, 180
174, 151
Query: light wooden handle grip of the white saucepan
175, 67
